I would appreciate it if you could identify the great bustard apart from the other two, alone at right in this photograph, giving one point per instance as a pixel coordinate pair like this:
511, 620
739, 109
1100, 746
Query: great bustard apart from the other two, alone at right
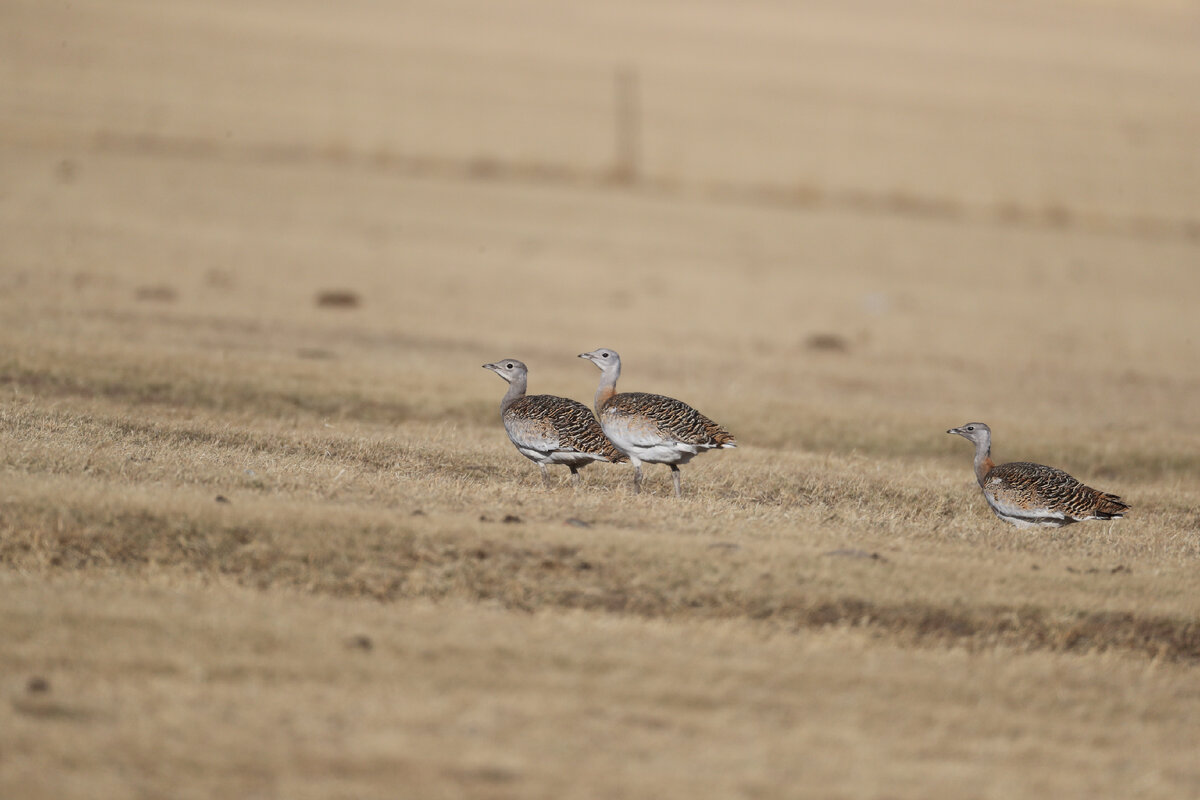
1034, 495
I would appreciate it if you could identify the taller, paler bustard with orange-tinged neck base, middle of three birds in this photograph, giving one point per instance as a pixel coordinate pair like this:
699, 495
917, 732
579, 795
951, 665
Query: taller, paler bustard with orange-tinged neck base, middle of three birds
651, 428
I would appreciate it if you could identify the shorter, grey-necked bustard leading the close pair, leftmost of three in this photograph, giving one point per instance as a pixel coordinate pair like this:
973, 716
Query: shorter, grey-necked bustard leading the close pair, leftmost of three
550, 430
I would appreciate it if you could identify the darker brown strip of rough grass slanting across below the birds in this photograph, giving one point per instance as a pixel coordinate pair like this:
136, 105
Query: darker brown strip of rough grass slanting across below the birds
404, 561
